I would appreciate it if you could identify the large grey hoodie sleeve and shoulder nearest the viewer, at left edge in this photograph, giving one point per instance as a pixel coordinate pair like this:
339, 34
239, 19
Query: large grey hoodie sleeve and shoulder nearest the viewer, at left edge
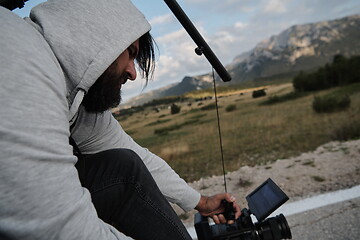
40, 193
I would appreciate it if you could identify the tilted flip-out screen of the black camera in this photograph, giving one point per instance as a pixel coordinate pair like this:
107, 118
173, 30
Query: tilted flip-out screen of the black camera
265, 199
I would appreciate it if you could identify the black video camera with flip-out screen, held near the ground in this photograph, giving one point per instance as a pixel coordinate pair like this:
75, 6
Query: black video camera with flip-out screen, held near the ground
264, 200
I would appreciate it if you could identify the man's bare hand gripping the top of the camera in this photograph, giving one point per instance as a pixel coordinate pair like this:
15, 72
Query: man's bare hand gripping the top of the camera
212, 207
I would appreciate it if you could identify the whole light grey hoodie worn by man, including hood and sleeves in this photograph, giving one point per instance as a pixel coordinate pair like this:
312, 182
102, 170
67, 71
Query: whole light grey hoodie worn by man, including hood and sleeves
47, 64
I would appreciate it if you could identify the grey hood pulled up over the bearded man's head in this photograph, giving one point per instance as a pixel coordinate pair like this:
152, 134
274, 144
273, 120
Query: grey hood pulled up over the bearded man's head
86, 36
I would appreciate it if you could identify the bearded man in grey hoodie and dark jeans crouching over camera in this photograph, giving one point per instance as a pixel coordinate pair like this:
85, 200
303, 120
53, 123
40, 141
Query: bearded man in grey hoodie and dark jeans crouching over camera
61, 70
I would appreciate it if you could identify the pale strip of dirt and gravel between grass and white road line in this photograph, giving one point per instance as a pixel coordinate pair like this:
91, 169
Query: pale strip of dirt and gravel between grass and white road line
333, 166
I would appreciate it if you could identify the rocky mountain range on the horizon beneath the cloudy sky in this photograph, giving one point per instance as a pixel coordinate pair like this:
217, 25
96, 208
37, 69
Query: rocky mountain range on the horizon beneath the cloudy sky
300, 47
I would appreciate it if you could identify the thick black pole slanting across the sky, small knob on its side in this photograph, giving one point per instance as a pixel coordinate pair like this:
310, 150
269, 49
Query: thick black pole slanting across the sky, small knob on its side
202, 46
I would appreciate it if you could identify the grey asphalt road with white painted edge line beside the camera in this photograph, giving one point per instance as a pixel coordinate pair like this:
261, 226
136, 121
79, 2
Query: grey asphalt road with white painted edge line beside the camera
328, 216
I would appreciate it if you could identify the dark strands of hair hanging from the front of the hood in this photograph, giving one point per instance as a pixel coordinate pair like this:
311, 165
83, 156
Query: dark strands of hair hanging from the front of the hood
146, 56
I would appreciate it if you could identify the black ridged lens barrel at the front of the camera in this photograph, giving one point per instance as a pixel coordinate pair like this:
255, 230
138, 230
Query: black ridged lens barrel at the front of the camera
274, 228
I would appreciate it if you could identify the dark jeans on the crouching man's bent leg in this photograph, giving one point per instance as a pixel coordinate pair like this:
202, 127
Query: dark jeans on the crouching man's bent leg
126, 196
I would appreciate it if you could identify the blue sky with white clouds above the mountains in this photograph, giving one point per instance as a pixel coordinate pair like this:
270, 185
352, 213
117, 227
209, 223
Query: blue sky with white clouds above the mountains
230, 27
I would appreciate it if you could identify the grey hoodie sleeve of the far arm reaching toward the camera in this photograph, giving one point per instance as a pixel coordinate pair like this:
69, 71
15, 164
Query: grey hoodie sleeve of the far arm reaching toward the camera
99, 132
